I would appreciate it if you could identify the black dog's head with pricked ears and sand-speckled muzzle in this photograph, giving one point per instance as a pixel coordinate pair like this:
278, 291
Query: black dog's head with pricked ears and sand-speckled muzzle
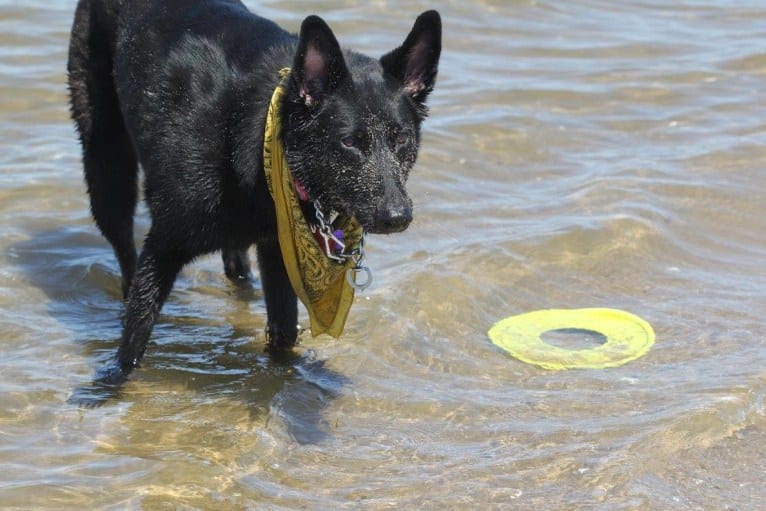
352, 124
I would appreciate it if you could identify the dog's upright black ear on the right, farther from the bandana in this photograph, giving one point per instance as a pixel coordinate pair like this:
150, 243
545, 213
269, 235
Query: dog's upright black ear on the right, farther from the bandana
415, 63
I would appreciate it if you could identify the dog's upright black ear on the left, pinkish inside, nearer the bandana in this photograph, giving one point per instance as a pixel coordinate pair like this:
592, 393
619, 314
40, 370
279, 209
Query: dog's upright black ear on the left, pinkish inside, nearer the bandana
319, 66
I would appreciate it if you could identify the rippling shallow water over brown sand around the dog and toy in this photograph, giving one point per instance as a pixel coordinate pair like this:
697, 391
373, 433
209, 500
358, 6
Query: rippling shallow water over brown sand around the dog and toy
582, 153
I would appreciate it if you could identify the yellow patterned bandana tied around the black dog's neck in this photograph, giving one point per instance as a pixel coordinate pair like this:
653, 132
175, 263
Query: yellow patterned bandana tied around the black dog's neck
319, 282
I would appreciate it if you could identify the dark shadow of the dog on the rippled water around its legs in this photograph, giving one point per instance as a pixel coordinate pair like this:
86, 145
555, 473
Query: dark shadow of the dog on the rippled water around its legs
76, 269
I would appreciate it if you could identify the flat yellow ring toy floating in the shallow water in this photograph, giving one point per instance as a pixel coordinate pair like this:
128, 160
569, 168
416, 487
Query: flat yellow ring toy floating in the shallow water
628, 337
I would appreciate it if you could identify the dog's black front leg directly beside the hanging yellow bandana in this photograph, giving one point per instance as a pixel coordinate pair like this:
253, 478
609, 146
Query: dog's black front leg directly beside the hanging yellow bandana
281, 302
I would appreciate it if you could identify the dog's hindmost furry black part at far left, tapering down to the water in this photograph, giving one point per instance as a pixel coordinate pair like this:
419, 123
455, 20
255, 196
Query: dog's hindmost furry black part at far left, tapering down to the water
108, 154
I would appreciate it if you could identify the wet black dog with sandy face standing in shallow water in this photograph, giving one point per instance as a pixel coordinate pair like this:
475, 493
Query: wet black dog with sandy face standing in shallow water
182, 88
